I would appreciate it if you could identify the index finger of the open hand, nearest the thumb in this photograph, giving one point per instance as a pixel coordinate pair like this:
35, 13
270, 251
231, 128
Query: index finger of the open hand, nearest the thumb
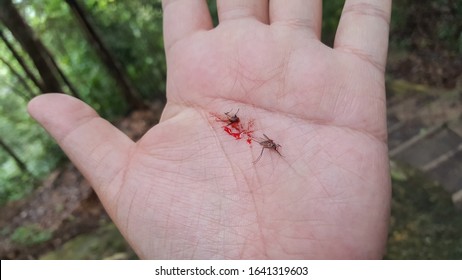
183, 18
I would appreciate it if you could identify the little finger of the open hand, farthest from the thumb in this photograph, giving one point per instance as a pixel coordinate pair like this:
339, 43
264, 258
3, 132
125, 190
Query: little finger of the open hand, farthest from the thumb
363, 30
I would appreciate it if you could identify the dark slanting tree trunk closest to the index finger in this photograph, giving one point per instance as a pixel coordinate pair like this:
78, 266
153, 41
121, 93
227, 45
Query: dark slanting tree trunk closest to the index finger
129, 92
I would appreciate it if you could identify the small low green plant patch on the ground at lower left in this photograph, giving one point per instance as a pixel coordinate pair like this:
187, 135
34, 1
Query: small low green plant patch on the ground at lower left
30, 235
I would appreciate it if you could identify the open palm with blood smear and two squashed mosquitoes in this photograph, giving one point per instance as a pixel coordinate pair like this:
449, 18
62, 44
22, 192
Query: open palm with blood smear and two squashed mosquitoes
189, 190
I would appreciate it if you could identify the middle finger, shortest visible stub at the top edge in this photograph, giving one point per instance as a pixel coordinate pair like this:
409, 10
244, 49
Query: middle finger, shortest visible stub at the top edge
237, 9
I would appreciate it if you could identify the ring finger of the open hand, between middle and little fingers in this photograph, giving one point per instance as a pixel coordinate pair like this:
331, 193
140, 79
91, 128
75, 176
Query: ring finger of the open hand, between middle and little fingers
297, 14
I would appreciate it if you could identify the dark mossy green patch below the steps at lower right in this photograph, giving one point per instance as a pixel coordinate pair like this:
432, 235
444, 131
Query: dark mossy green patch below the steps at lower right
424, 223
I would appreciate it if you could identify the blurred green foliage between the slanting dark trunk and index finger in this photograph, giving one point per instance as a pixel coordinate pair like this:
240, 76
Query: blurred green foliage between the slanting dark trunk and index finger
136, 40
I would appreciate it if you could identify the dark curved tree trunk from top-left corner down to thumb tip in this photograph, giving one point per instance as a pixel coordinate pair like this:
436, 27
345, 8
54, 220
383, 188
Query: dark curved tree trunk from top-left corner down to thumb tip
11, 18
